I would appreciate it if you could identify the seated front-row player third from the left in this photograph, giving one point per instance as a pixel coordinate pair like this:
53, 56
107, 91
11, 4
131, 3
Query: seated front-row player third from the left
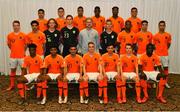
73, 71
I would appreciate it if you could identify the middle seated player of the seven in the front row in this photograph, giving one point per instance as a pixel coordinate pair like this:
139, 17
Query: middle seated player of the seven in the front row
93, 70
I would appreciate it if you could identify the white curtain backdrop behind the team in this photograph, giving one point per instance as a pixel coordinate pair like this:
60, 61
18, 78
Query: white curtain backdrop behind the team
151, 10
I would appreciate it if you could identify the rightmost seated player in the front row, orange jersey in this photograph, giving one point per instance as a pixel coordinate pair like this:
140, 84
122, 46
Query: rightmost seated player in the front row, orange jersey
147, 62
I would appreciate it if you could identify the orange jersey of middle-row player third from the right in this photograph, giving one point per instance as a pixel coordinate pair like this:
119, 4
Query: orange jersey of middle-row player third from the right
124, 38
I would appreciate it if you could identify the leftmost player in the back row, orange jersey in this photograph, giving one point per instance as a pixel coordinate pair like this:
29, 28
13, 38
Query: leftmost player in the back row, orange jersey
42, 21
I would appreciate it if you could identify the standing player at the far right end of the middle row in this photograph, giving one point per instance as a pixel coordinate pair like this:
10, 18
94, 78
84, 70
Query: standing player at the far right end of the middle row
162, 42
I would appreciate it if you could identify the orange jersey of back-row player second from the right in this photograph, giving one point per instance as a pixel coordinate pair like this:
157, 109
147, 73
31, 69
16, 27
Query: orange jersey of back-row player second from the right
118, 24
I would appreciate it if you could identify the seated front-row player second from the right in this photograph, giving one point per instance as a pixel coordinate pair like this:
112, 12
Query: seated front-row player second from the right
129, 71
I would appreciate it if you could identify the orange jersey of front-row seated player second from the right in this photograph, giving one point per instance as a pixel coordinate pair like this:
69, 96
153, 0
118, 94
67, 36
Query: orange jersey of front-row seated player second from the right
129, 64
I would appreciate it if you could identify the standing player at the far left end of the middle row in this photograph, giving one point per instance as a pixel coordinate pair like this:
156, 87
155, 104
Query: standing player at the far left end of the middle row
16, 41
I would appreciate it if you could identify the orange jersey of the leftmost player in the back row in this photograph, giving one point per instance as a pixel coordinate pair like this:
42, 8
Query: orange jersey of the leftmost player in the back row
42, 24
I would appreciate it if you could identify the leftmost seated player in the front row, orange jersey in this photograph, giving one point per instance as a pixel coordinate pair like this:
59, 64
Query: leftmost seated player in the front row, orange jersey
31, 71
